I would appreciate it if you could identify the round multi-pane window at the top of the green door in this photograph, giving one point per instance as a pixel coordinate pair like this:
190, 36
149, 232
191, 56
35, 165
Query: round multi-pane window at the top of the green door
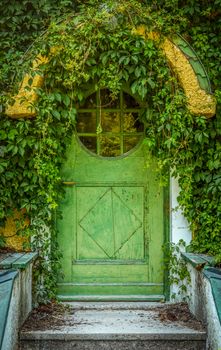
107, 126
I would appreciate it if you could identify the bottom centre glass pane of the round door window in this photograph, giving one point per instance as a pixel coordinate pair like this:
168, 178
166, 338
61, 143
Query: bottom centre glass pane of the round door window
109, 146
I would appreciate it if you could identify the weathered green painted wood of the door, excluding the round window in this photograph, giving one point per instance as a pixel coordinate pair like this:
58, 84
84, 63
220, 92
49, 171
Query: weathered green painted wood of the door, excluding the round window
111, 233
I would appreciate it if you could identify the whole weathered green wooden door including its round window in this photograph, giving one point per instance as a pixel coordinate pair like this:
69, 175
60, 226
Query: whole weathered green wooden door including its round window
112, 229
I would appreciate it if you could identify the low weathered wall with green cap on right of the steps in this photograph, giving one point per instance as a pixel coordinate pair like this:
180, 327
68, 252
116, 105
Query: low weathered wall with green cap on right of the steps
204, 294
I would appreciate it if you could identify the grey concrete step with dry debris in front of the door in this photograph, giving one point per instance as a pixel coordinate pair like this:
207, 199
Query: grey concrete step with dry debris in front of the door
114, 326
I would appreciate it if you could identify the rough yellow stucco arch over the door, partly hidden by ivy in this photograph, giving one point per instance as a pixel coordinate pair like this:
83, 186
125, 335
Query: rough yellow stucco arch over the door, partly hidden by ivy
199, 101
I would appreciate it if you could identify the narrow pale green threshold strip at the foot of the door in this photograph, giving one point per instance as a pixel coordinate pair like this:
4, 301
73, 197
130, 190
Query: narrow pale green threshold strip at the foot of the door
159, 298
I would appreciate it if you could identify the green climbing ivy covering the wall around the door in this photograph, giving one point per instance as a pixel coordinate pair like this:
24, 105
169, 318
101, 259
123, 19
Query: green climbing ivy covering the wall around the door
95, 45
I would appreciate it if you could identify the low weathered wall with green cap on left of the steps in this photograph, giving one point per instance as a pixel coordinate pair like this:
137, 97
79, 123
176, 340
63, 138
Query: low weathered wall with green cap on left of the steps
15, 295
